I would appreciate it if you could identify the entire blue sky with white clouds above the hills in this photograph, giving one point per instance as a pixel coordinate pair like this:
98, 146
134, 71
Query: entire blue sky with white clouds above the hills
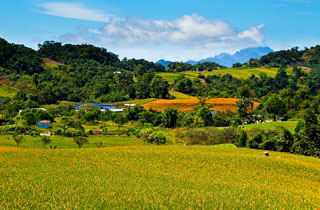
176, 30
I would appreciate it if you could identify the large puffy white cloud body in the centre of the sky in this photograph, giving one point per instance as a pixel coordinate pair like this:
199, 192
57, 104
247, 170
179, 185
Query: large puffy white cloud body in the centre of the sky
189, 28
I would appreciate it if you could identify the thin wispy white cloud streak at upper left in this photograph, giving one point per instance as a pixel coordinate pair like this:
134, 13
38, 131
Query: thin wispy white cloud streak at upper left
75, 11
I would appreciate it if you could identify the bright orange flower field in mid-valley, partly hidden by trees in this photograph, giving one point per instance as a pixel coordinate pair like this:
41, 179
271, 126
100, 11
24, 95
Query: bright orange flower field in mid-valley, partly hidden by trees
219, 104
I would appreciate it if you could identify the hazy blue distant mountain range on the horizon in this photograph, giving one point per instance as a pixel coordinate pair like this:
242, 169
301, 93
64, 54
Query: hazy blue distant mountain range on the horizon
226, 59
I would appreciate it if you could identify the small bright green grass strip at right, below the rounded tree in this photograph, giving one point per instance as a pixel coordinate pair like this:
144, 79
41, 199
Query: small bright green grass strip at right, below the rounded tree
290, 125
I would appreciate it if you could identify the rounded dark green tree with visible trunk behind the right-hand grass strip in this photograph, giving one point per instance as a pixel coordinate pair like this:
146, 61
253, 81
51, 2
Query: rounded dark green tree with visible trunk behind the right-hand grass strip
275, 105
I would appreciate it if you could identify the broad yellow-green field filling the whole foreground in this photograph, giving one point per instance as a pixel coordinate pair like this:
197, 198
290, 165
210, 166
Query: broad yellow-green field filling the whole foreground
157, 177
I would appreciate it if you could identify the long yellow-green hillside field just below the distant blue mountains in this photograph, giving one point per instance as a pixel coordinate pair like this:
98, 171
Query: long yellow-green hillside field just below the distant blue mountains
241, 73
